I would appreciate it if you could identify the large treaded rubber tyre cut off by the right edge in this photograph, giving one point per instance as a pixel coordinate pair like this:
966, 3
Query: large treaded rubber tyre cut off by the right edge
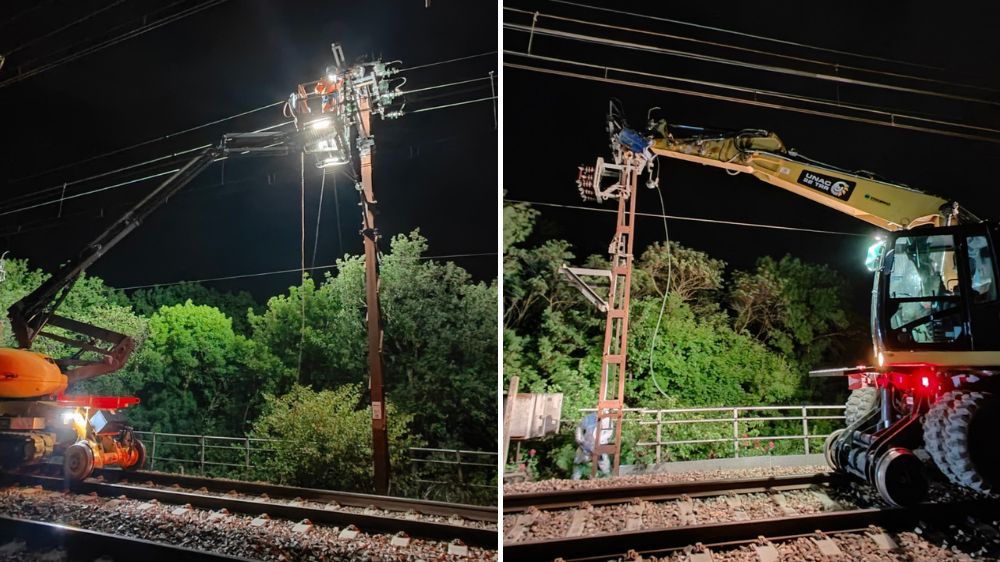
970, 434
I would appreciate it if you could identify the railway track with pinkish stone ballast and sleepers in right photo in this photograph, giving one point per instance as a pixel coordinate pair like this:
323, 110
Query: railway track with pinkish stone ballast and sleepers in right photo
634, 522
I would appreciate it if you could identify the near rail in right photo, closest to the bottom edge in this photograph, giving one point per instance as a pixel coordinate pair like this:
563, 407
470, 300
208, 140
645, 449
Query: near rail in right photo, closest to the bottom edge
656, 541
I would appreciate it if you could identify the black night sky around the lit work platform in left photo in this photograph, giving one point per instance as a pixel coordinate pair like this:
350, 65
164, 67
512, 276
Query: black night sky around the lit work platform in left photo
433, 170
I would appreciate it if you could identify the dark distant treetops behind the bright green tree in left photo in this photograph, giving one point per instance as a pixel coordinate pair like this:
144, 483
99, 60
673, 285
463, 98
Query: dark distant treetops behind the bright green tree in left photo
234, 305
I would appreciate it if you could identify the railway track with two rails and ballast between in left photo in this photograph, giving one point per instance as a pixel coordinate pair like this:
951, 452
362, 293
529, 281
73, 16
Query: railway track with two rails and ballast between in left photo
469, 525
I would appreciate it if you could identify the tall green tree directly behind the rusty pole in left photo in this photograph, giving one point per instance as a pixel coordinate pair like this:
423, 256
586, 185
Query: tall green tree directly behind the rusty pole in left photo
439, 342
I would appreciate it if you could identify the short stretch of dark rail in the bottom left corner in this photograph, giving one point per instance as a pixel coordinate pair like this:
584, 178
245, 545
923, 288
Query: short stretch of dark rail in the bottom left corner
84, 544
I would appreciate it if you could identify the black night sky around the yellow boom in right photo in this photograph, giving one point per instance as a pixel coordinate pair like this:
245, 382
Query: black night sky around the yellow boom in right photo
566, 119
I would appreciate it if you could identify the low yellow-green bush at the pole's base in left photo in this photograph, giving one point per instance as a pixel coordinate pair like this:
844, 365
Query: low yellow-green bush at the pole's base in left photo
323, 440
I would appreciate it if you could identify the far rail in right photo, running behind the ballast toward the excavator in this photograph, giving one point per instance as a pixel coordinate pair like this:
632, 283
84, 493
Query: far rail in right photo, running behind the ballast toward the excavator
515, 503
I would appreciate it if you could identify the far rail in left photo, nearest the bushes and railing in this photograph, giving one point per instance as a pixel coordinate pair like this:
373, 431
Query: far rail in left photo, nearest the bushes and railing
220, 485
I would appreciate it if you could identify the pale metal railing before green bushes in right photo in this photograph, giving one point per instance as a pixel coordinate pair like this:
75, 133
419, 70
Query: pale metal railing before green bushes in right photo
736, 427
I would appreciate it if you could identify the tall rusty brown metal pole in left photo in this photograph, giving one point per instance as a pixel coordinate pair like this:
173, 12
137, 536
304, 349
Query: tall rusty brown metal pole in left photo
380, 433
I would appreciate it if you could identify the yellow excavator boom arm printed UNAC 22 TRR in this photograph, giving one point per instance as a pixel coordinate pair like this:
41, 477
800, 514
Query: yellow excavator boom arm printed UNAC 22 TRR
886, 205
